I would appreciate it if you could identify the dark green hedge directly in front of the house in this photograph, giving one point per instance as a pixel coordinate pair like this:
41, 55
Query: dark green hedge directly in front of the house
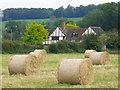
66, 47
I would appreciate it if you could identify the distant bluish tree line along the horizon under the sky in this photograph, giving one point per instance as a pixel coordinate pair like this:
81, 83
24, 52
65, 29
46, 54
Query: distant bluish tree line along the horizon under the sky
42, 13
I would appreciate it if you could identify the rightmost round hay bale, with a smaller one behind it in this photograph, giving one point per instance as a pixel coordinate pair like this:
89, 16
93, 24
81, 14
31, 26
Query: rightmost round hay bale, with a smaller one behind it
100, 58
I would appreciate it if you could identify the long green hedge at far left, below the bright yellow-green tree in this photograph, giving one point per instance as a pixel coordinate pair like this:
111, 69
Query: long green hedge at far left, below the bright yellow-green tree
12, 47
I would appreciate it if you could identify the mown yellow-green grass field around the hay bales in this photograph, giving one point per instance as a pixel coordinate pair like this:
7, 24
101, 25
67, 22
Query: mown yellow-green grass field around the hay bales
105, 76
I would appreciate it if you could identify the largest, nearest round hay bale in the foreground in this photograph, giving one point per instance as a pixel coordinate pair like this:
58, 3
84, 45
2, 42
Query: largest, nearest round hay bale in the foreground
75, 71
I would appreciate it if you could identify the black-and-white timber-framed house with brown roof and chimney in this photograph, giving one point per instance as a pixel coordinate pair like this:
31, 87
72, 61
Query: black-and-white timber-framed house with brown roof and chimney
70, 34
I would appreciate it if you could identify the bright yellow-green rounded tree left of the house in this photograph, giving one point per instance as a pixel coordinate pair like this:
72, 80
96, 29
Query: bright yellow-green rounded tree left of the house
35, 34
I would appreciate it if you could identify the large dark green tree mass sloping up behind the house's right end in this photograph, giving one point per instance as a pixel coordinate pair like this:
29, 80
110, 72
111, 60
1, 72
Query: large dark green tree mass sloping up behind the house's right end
105, 17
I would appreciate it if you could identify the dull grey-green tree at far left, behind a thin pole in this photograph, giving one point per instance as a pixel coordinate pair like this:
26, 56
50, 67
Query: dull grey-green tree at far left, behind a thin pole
14, 30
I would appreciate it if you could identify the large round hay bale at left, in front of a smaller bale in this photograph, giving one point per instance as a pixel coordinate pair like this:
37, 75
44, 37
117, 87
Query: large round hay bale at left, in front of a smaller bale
23, 64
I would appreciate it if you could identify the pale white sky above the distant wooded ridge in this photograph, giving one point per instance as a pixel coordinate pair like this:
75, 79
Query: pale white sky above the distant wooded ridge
4, 4
